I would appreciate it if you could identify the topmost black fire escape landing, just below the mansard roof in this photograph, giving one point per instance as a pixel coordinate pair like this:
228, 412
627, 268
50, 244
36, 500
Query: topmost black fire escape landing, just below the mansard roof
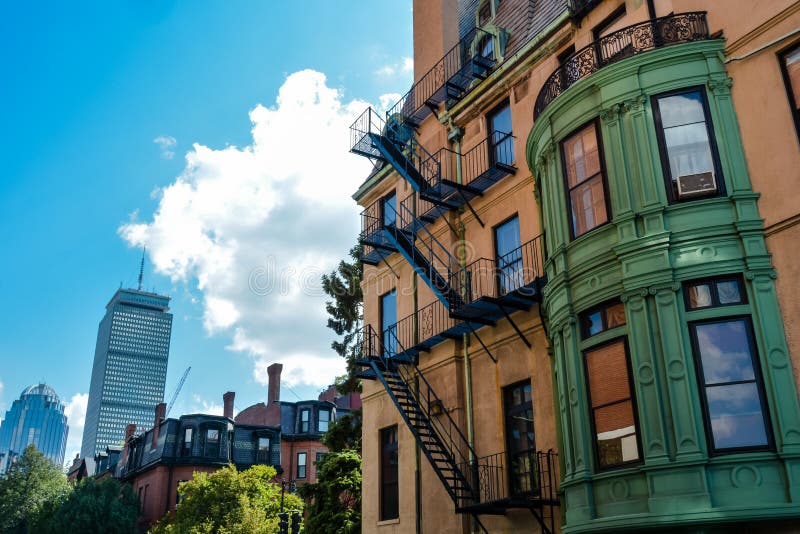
471, 58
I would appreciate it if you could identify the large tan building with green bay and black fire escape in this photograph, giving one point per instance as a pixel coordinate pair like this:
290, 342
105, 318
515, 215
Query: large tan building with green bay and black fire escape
580, 282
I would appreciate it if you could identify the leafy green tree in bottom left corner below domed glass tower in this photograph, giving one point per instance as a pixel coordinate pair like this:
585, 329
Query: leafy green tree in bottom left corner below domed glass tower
29, 484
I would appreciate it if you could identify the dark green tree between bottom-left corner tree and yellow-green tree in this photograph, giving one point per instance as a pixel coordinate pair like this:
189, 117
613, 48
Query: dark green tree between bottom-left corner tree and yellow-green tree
94, 507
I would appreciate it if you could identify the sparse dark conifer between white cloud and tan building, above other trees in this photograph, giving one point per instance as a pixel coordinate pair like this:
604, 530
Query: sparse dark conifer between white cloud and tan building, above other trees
344, 286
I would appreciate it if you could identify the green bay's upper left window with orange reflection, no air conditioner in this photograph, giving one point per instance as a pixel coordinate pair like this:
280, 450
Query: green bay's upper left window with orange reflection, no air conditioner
585, 180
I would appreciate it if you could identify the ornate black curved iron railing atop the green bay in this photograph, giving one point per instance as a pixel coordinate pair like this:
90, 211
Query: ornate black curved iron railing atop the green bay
622, 44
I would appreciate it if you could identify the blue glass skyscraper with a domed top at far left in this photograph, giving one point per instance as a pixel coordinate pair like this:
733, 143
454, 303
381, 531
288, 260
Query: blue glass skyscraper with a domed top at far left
36, 418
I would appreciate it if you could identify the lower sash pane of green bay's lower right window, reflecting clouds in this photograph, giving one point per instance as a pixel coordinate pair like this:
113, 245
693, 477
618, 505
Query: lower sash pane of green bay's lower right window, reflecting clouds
736, 416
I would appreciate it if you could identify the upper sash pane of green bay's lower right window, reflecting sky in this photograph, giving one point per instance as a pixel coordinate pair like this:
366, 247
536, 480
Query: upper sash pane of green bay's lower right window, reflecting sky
725, 351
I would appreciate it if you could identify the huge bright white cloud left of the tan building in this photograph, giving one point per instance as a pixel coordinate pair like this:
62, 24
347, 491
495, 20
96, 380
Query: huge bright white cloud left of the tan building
255, 227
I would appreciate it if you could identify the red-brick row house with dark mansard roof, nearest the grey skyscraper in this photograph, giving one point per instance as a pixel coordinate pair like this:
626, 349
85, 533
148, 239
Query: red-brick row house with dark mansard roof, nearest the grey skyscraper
173, 450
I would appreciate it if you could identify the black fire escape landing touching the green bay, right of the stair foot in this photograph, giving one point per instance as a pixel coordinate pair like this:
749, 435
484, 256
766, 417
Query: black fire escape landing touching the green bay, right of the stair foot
491, 288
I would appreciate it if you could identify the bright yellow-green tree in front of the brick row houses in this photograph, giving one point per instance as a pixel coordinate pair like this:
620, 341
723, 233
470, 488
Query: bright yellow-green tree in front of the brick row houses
229, 502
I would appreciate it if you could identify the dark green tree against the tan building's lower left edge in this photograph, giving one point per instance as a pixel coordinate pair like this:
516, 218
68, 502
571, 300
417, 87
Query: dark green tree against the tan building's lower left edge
336, 497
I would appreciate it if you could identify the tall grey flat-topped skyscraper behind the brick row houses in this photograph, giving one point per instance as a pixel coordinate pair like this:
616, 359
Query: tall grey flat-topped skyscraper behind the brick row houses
130, 367
